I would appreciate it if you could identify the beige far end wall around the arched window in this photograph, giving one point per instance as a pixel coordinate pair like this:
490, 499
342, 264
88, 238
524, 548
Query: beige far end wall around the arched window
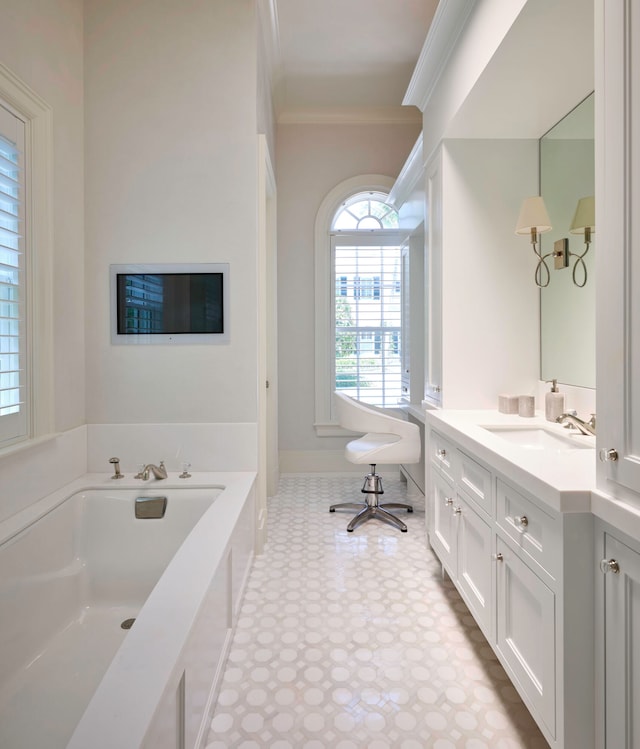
311, 161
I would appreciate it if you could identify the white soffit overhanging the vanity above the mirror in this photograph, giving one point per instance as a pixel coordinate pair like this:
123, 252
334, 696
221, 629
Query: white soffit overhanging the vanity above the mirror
501, 80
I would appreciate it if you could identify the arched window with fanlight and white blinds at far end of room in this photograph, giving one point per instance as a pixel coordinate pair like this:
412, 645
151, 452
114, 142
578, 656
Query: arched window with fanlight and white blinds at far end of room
359, 314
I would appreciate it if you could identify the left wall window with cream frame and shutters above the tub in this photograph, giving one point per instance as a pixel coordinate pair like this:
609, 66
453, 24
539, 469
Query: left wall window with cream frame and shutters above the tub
26, 264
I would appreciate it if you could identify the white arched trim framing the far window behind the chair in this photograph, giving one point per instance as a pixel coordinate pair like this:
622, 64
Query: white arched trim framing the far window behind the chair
324, 424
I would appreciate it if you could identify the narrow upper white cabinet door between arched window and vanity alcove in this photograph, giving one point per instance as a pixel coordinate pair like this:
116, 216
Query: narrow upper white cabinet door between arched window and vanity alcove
433, 265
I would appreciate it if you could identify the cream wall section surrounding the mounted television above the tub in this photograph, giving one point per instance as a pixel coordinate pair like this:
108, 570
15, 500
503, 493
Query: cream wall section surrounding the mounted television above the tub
171, 175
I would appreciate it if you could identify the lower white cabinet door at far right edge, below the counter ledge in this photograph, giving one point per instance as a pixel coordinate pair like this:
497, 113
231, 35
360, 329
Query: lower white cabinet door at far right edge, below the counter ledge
622, 647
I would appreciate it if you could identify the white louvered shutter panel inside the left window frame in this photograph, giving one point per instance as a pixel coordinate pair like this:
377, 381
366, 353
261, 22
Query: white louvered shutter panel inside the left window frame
13, 375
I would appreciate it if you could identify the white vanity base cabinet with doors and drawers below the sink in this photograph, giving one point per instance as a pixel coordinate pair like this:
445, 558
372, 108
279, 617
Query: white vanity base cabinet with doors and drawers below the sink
525, 570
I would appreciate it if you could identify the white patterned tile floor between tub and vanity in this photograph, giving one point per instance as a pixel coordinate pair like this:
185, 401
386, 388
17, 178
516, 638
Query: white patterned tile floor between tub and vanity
354, 641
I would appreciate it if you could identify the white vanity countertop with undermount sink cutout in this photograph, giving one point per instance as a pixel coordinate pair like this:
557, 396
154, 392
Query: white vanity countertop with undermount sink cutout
561, 478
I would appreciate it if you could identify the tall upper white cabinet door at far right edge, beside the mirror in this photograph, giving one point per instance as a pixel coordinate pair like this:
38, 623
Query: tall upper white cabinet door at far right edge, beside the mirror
618, 272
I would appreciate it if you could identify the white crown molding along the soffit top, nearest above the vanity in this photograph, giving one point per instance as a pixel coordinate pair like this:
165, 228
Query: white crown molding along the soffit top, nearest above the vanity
449, 20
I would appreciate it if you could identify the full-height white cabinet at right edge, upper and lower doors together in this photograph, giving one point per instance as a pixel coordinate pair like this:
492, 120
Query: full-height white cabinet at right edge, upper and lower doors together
617, 500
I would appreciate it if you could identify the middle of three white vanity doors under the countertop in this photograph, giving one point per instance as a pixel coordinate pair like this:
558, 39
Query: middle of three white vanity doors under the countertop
475, 565
